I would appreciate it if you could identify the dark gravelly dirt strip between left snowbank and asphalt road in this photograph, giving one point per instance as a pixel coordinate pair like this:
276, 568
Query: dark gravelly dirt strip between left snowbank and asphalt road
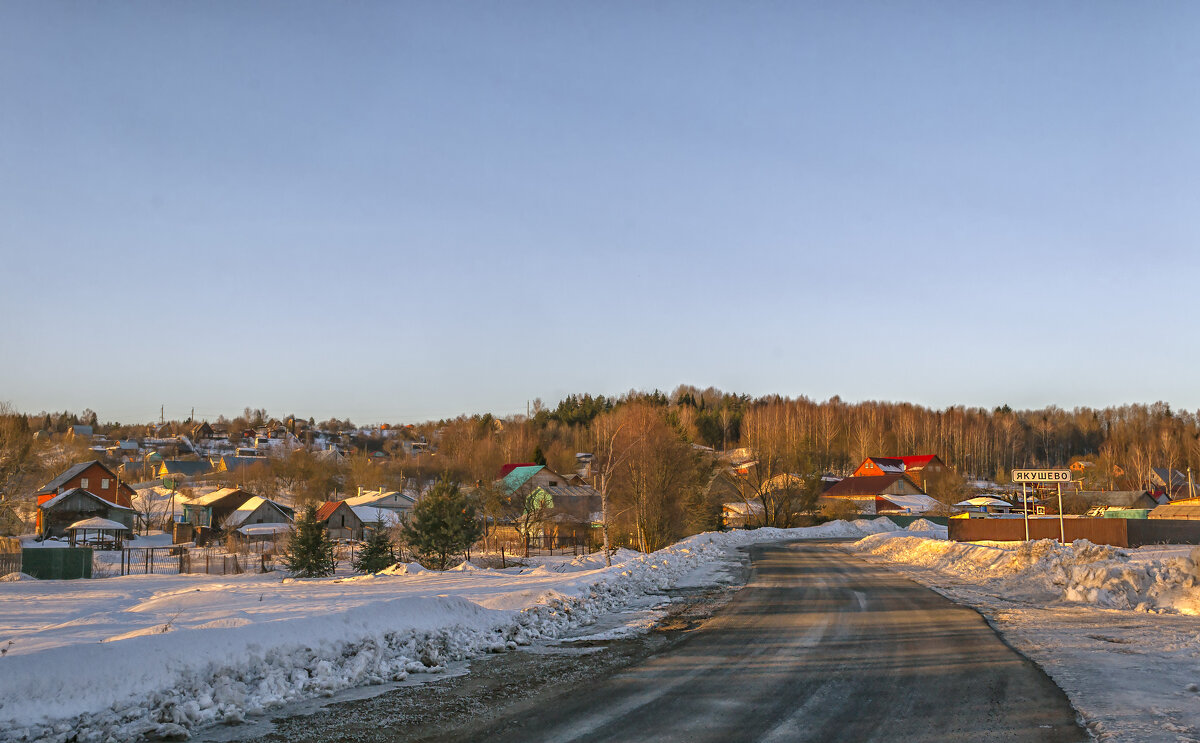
499, 685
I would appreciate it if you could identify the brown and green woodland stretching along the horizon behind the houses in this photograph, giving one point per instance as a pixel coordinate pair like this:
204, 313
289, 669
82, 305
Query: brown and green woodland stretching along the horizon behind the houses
659, 457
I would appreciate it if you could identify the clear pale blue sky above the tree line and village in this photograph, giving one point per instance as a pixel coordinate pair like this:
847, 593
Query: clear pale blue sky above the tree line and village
407, 211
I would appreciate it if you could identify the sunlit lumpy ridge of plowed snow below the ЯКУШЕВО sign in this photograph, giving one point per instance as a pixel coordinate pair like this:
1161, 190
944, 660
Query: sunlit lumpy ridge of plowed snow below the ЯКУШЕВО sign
1081, 573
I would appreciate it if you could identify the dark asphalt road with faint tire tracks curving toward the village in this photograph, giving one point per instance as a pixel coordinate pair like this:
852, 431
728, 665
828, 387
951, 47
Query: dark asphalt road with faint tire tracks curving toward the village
819, 646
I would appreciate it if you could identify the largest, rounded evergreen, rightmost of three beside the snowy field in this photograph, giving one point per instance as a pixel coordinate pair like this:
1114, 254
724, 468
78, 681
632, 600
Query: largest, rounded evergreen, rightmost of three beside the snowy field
445, 524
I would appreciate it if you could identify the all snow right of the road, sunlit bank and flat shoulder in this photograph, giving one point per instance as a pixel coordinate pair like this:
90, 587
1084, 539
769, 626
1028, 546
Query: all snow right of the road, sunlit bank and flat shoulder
1117, 630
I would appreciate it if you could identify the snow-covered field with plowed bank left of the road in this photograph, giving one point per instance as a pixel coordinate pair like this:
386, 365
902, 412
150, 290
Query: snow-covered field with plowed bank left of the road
154, 656
